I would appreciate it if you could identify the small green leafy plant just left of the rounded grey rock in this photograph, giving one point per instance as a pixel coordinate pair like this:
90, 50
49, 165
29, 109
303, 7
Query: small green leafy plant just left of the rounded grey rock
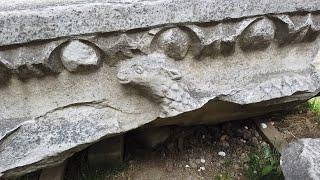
264, 164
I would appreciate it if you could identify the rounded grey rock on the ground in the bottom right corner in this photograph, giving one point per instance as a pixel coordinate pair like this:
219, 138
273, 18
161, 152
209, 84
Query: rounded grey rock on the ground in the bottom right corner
301, 160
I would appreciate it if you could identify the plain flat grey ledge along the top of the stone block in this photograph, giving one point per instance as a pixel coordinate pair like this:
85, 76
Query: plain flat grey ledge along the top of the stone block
23, 21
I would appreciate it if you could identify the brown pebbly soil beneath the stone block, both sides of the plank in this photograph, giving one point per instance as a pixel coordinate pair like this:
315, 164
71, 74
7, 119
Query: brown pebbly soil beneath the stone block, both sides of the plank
193, 152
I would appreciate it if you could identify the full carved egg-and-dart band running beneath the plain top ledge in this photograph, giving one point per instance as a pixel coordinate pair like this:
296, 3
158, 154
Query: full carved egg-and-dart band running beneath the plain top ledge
201, 40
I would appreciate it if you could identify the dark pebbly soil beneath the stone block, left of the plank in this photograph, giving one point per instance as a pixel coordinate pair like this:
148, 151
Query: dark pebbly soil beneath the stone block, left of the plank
189, 153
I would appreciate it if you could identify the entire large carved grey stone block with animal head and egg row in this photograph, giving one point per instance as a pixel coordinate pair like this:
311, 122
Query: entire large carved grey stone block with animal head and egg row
174, 73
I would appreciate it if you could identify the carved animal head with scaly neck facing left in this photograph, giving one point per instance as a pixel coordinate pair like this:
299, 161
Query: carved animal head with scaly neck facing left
161, 80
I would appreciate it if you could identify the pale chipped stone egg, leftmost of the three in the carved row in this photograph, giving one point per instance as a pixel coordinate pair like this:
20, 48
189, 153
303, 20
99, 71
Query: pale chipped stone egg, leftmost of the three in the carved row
77, 56
